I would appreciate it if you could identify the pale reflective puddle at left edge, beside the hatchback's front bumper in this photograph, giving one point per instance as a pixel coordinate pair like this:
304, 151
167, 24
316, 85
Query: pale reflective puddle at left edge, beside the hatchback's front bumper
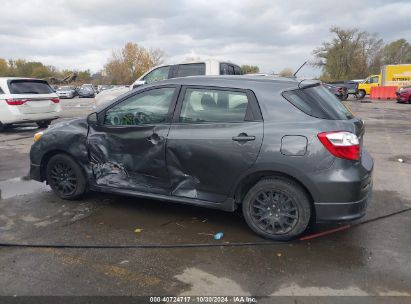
20, 186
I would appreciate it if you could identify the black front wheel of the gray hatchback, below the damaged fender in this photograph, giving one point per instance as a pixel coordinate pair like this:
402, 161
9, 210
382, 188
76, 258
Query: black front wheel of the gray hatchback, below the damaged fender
65, 177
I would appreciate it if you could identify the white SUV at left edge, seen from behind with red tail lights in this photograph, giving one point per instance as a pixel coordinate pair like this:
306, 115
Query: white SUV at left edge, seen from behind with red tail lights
27, 100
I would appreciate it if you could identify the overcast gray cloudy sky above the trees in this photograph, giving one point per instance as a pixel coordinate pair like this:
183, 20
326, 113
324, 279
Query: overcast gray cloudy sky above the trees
80, 34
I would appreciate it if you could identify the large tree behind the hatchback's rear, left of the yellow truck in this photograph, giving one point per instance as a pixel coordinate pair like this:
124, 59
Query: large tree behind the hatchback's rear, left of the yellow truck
350, 54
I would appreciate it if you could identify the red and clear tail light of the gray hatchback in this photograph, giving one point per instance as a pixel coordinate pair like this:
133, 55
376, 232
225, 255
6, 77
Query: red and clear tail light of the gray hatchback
341, 144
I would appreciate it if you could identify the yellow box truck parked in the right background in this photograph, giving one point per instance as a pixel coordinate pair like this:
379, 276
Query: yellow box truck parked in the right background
398, 75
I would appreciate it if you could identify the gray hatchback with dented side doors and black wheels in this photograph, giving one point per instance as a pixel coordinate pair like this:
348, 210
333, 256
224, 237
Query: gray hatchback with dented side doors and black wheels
284, 151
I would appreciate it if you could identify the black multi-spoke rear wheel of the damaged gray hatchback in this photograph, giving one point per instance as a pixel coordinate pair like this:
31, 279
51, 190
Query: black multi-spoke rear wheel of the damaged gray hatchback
277, 209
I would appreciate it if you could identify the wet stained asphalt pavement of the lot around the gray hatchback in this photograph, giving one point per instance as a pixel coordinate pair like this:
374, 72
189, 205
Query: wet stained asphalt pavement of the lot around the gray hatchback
369, 259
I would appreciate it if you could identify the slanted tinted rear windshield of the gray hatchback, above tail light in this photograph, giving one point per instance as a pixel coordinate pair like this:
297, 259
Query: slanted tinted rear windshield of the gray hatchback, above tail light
319, 102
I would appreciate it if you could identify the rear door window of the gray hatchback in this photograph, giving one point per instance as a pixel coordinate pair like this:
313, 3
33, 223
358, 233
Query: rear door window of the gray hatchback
204, 105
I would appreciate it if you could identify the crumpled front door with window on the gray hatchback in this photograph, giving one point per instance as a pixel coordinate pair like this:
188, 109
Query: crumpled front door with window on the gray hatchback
127, 146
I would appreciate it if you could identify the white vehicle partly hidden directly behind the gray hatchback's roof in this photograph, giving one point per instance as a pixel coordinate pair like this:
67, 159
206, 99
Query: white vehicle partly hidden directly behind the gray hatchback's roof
166, 71
